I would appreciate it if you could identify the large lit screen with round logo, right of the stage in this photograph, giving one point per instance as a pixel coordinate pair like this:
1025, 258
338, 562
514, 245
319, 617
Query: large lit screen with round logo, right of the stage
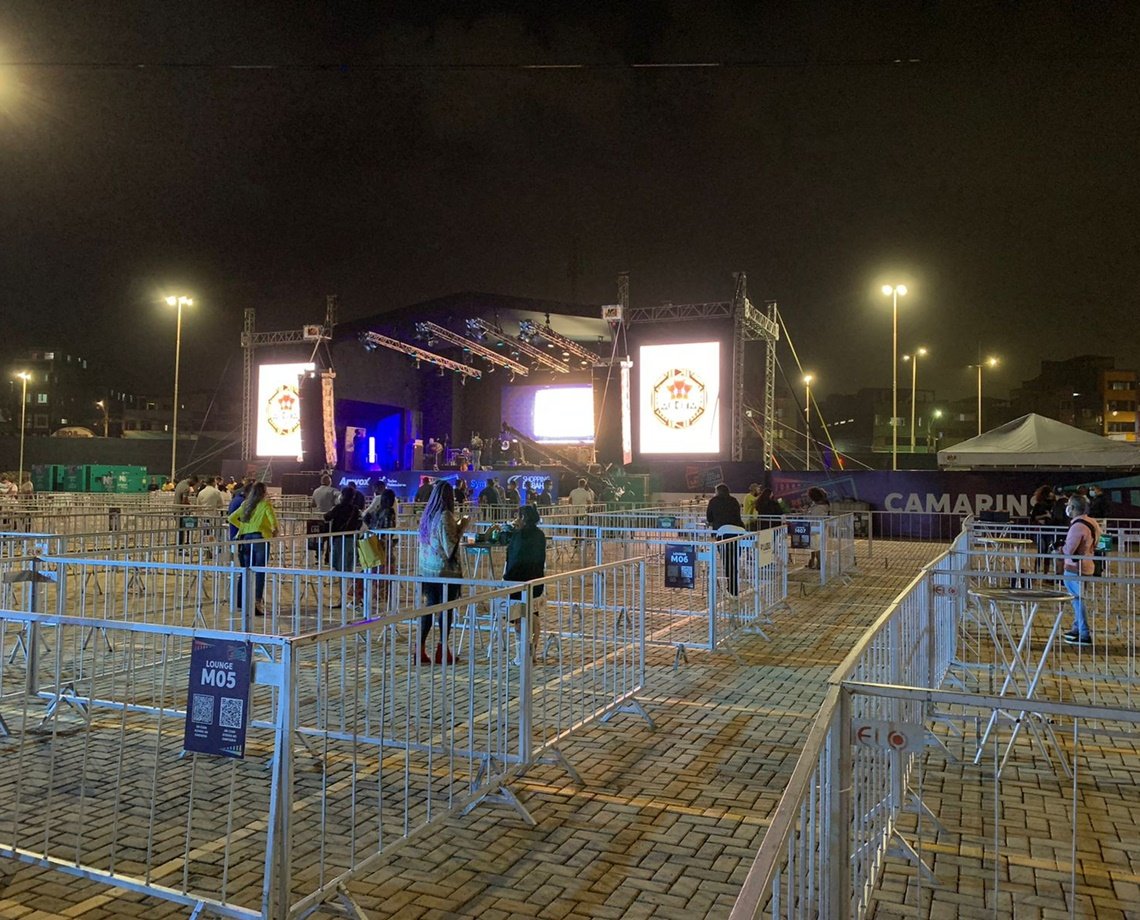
679, 389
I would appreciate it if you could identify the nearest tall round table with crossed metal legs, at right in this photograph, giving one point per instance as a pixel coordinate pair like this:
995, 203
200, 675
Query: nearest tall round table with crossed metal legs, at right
1023, 674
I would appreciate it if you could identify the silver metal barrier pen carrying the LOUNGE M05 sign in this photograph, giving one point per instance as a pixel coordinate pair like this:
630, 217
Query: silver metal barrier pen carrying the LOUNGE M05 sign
365, 747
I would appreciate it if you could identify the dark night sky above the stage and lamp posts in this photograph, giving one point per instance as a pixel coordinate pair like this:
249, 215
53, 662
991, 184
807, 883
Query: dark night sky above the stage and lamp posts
984, 153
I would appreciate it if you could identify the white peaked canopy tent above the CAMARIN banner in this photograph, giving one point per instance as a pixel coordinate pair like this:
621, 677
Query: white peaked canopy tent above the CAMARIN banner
1035, 442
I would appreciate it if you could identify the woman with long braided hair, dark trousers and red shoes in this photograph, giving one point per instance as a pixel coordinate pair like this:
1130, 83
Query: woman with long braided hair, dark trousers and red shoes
441, 532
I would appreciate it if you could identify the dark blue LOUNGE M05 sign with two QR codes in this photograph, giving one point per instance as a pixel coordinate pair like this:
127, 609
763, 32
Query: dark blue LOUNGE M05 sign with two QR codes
218, 702
